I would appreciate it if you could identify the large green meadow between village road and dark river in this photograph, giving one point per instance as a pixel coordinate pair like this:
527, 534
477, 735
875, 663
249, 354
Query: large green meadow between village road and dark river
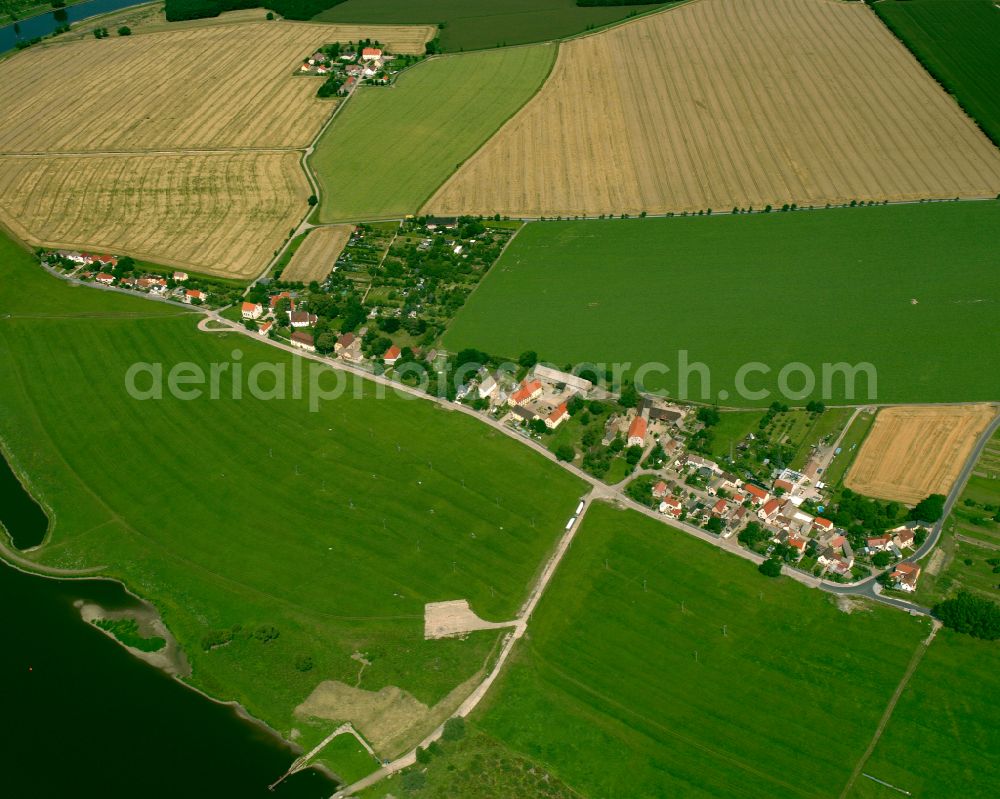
275, 542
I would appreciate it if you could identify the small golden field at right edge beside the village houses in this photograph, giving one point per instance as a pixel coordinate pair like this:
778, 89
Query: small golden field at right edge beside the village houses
917, 450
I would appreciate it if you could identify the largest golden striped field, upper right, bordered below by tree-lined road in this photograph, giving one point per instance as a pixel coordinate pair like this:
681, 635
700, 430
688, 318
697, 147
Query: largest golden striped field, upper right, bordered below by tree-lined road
723, 103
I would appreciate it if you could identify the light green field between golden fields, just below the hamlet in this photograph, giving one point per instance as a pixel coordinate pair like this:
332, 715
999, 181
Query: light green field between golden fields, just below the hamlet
391, 147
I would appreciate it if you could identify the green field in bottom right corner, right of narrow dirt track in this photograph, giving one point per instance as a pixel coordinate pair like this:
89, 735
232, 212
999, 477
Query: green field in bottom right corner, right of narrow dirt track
944, 734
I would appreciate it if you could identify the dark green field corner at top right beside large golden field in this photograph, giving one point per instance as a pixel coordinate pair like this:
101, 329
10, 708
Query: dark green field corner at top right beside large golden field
956, 41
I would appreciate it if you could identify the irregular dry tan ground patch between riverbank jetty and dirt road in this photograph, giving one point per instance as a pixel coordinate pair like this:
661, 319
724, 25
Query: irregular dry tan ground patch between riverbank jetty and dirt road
391, 719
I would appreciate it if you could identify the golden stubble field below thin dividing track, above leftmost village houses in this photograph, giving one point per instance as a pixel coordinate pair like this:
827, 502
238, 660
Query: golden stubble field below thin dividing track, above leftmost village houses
221, 213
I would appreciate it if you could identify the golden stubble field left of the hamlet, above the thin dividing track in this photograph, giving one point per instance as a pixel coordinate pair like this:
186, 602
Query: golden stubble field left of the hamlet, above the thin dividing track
221, 86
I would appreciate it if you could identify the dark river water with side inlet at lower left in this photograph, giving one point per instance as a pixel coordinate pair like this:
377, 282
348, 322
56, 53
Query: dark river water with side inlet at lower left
80, 716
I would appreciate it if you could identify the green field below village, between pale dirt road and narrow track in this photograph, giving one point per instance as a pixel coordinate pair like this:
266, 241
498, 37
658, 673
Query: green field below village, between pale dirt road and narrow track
656, 665
